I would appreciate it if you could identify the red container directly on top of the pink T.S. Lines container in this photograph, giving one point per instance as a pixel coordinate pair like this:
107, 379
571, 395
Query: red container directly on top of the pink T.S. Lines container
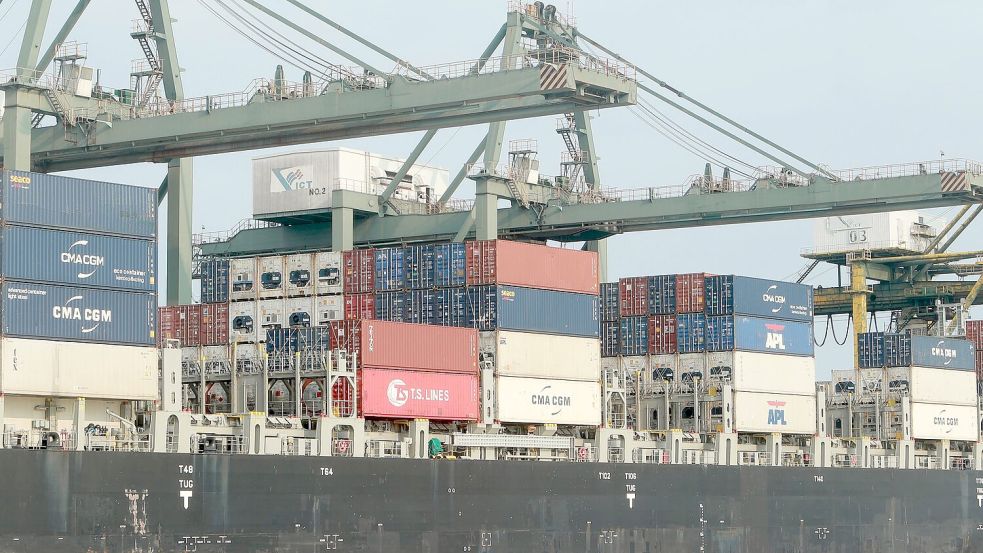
419, 347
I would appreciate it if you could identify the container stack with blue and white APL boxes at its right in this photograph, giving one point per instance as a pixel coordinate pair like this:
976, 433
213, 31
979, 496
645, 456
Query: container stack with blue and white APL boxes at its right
755, 333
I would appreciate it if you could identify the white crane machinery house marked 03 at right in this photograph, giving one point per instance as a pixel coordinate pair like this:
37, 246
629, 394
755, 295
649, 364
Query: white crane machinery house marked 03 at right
898, 230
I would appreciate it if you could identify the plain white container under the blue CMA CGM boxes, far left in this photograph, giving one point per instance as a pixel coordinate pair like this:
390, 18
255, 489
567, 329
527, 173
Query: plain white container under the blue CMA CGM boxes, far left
77, 369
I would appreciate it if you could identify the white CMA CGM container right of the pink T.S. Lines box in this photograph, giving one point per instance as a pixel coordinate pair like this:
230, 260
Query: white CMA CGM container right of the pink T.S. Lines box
544, 401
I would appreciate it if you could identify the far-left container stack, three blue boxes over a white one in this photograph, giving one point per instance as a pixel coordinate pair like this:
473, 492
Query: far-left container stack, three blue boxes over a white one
78, 278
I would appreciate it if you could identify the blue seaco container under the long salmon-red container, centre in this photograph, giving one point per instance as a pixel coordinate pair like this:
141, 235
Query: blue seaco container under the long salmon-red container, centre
533, 310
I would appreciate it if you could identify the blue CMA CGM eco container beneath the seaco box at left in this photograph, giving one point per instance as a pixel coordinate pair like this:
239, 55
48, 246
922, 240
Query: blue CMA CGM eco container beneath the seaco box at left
77, 258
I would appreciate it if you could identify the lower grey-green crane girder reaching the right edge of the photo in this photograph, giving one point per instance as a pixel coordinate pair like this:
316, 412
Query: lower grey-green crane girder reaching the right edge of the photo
639, 210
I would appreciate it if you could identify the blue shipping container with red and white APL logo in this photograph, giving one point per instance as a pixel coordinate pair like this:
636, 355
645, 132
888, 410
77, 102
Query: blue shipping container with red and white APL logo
773, 336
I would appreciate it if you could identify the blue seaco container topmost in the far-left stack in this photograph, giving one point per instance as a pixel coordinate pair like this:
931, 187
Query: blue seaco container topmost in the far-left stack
55, 201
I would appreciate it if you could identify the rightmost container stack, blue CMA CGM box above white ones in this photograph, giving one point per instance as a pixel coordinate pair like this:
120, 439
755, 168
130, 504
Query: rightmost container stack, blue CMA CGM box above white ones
938, 374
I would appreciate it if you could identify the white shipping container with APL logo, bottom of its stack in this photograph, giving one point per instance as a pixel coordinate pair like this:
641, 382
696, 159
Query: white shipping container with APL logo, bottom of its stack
765, 412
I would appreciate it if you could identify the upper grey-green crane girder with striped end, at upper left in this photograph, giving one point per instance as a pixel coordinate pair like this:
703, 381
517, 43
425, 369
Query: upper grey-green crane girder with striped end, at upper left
402, 106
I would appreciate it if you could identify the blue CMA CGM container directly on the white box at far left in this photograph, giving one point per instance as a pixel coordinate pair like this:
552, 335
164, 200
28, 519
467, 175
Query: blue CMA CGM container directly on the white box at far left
29, 310
